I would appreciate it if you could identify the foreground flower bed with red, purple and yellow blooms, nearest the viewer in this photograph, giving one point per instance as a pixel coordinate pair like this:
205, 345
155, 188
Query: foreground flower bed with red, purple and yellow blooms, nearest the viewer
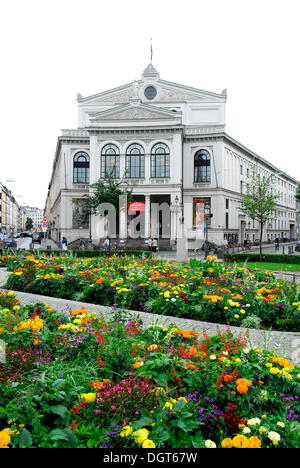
78, 380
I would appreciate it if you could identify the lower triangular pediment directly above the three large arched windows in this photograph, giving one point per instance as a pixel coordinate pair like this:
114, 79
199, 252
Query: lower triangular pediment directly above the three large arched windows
136, 111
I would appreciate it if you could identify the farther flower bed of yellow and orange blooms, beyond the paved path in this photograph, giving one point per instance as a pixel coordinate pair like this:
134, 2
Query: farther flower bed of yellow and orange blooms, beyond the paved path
209, 291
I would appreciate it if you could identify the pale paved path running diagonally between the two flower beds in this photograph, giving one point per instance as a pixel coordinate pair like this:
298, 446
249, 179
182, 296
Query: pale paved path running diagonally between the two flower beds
286, 344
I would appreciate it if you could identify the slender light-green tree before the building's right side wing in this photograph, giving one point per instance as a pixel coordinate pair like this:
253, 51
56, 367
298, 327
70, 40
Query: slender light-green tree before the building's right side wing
259, 201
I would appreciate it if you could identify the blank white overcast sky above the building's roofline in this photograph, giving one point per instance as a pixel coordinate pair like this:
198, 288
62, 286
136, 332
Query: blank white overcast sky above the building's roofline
52, 50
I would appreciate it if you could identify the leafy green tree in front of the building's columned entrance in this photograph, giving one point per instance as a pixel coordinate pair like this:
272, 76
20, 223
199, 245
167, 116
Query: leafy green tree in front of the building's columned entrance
108, 190
